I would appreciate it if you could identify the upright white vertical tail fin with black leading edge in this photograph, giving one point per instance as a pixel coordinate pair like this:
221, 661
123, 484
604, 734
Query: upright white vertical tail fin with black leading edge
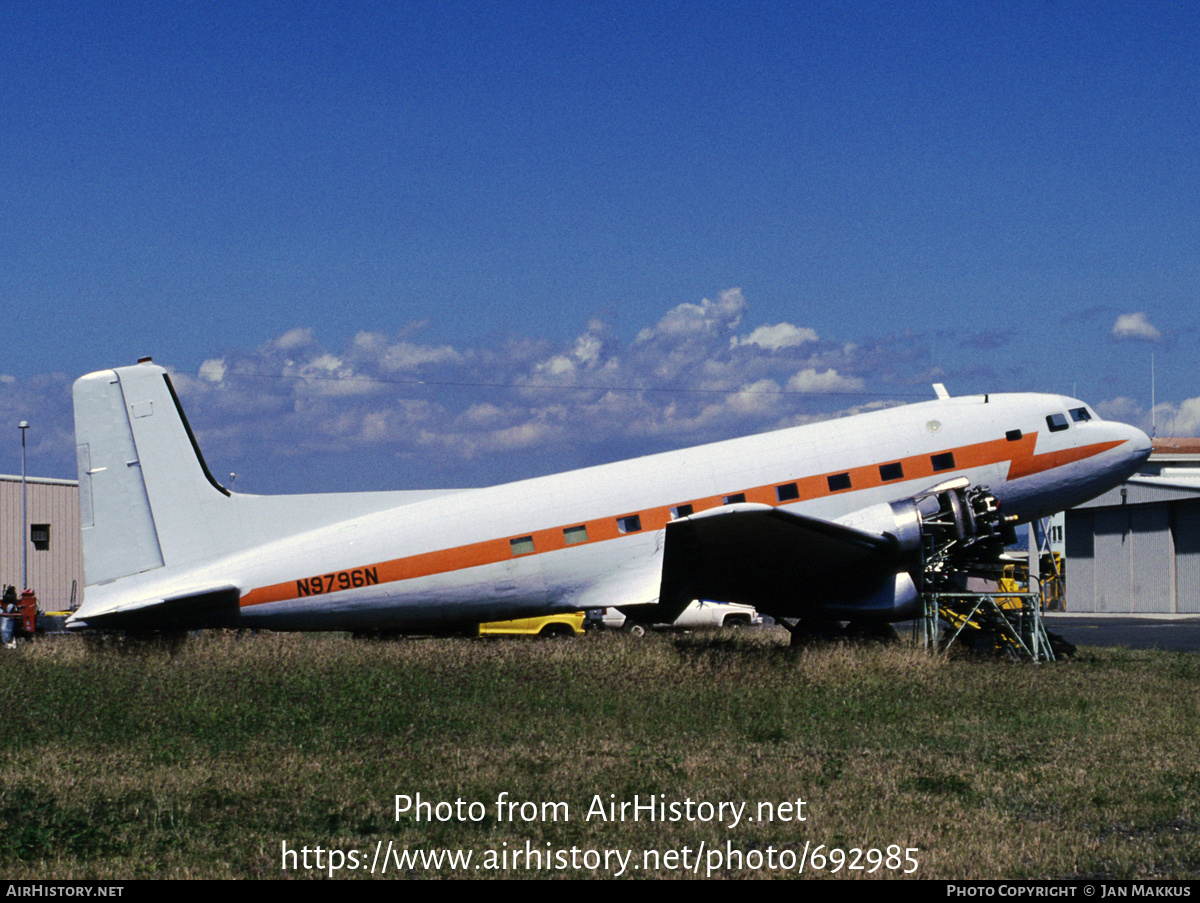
147, 498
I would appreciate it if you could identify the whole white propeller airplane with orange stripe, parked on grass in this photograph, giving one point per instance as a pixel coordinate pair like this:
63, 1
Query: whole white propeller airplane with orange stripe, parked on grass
818, 523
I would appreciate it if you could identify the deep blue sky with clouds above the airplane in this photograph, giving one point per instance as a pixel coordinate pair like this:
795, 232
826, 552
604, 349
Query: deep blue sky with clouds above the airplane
733, 216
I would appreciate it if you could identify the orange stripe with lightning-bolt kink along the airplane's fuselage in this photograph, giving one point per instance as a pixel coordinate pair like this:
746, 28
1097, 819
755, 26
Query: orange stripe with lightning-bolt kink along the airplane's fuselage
1021, 455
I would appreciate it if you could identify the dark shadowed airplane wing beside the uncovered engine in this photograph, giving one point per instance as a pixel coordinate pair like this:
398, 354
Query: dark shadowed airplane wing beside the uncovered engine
782, 563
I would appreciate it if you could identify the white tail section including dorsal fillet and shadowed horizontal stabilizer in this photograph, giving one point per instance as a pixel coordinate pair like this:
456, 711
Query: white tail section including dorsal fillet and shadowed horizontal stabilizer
158, 529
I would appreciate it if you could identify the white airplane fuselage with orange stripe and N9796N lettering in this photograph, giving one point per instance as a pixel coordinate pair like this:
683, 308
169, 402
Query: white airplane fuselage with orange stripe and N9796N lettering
593, 539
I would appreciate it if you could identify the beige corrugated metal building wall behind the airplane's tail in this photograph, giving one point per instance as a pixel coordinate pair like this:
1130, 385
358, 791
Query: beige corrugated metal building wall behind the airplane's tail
51, 571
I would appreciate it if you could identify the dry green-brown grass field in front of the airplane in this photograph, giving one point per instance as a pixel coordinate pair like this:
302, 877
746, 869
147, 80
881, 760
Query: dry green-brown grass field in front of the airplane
205, 761
